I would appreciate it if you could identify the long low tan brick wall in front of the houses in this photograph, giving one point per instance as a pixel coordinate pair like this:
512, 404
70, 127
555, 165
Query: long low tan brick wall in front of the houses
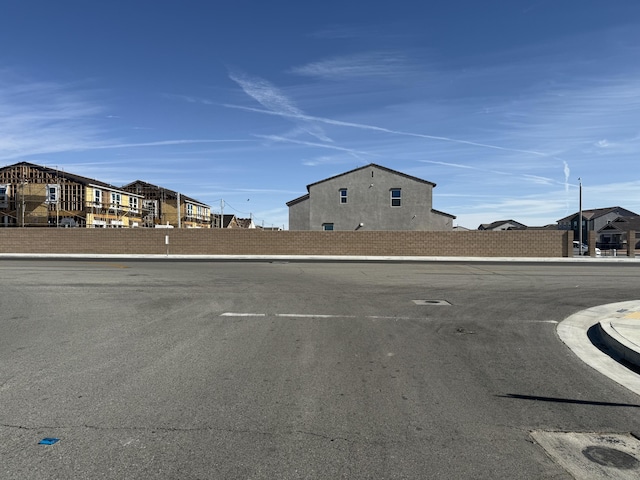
518, 243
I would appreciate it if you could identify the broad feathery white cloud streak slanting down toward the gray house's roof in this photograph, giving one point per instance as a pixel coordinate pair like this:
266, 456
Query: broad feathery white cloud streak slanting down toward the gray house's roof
276, 103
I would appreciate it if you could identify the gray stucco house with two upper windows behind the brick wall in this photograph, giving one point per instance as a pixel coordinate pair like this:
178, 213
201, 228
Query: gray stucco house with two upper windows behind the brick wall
368, 198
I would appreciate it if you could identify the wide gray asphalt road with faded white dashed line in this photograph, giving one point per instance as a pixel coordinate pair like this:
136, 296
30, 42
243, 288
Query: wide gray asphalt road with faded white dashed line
285, 370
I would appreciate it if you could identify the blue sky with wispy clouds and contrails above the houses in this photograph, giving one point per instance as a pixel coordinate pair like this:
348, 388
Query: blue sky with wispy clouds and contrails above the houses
503, 104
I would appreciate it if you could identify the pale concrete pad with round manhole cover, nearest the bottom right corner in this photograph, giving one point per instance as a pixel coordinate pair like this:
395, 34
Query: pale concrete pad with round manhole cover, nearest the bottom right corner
593, 455
